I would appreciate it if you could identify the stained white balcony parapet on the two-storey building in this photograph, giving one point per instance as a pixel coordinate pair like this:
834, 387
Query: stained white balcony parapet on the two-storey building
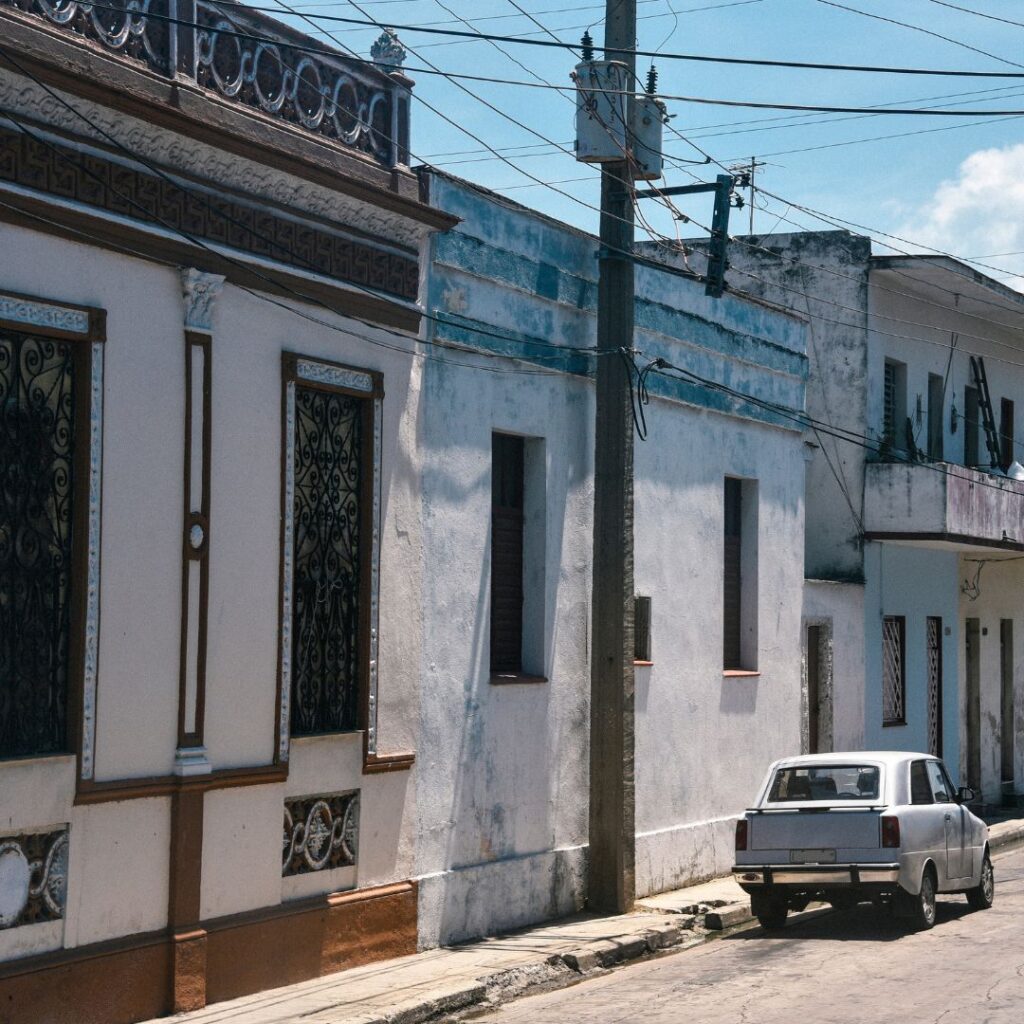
943, 503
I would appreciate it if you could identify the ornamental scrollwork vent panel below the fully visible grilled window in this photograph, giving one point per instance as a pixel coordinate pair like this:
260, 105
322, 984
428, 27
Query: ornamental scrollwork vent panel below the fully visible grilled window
321, 833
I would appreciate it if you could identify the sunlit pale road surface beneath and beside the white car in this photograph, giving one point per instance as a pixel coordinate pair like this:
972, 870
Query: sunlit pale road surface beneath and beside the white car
858, 967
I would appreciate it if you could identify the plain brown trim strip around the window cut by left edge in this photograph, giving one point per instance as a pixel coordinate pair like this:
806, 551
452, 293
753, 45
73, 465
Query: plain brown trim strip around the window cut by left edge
95, 333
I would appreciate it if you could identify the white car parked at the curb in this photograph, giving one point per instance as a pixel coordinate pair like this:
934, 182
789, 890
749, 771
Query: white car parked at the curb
842, 829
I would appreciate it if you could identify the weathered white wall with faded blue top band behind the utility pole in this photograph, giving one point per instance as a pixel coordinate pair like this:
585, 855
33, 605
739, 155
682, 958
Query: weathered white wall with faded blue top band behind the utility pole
503, 813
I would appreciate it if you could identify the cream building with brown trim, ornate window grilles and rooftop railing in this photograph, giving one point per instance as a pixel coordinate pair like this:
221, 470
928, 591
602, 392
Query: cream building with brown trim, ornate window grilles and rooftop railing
209, 282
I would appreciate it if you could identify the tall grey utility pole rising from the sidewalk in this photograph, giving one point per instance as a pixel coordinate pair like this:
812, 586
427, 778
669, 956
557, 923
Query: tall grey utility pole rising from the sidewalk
612, 883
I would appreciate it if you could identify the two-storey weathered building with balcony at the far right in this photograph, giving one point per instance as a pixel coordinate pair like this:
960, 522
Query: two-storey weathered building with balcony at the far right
914, 523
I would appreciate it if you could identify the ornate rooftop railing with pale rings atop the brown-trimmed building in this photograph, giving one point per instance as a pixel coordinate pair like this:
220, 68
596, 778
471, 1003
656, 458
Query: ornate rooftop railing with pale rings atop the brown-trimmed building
252, 61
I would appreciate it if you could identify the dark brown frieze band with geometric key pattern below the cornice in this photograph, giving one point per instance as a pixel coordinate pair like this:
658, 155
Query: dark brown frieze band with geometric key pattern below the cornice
125, 192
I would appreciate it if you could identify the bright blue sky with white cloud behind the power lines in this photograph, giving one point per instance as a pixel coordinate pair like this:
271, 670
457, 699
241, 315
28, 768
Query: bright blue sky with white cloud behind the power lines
914, 184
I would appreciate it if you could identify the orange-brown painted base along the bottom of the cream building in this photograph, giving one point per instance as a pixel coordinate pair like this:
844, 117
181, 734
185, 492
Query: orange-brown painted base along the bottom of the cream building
136, 979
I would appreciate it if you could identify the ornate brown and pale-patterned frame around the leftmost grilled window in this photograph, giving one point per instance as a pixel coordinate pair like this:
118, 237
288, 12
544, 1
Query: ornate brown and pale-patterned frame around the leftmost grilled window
86, 329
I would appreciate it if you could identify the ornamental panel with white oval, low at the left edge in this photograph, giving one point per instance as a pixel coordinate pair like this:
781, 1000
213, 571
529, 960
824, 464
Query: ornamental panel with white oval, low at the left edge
33, 878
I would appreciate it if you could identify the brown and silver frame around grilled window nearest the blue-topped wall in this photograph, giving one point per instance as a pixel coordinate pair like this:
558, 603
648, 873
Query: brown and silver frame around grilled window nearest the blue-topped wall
320, 374
